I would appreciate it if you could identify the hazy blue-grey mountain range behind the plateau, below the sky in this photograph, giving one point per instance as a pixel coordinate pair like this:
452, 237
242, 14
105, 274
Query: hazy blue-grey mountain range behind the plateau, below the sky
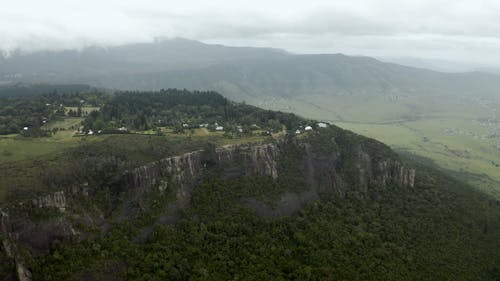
249, 74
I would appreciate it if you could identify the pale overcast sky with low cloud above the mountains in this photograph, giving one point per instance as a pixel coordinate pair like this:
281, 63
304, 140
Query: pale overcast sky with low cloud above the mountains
459, 30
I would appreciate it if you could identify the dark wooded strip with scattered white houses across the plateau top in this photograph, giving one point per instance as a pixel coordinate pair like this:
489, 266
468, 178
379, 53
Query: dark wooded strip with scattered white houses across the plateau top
140, 111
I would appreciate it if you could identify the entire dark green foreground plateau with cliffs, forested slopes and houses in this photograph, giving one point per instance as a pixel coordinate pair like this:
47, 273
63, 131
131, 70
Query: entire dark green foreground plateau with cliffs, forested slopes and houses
324, 204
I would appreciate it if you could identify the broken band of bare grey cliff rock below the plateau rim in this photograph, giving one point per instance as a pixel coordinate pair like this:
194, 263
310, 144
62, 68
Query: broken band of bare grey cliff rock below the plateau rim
323, 173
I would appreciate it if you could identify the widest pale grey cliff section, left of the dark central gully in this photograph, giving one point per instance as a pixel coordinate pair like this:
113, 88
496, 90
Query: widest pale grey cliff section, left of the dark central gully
185, 170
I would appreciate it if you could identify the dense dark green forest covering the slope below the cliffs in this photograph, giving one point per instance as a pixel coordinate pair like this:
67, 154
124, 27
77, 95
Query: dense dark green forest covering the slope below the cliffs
438, 231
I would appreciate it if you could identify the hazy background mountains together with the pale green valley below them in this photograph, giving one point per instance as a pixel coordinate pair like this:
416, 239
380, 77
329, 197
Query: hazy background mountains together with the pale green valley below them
449, 118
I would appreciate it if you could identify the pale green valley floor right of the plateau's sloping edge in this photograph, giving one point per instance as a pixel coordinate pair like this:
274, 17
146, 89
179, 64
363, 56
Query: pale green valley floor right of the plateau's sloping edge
468, 156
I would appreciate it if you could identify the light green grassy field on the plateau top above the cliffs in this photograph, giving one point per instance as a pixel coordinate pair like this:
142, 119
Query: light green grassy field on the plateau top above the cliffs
24, 161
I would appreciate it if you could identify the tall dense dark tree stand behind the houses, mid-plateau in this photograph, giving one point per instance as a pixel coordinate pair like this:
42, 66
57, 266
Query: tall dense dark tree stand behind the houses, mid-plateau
182, 109
